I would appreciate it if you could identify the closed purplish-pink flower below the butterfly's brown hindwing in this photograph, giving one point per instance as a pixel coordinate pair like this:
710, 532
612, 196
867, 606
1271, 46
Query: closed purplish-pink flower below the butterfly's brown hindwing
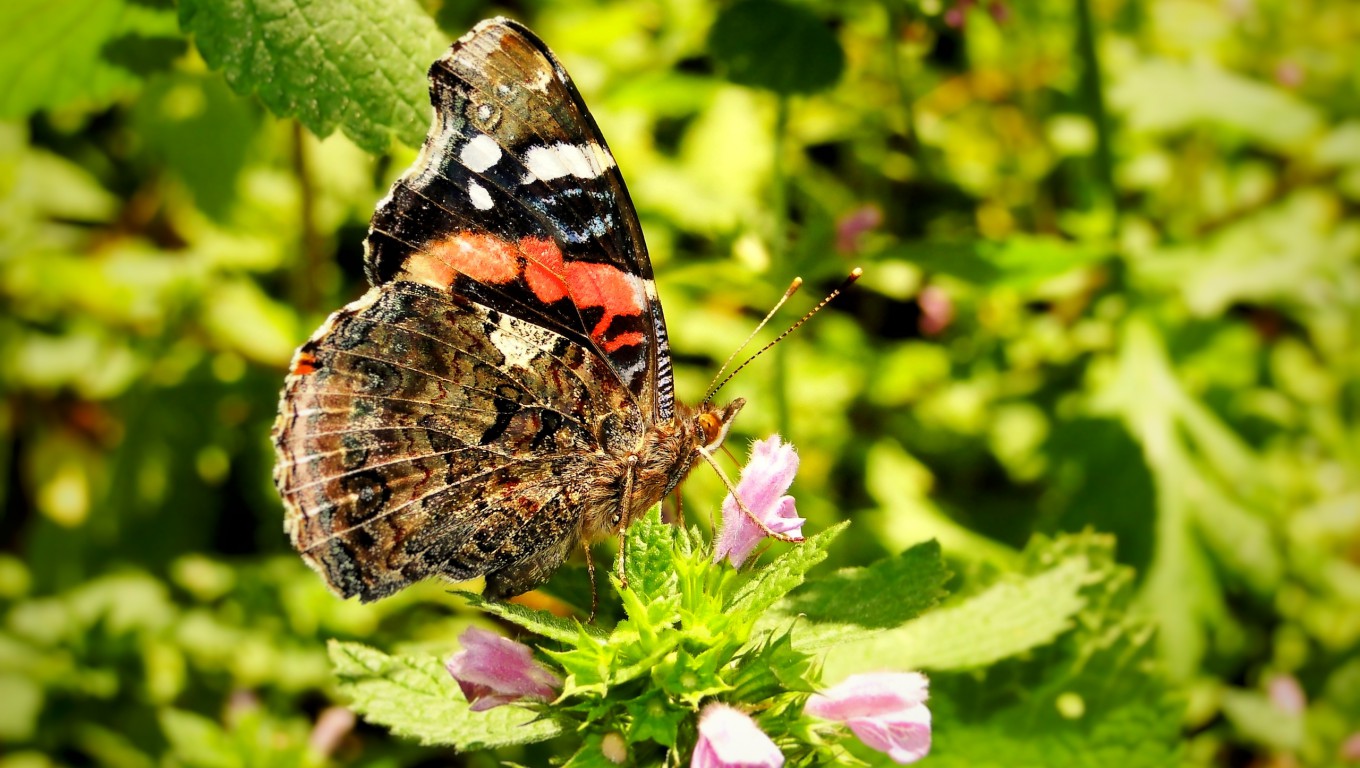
494, 671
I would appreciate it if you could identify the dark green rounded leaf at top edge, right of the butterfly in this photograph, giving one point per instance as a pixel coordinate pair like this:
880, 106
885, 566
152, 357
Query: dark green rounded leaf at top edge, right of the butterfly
779, 47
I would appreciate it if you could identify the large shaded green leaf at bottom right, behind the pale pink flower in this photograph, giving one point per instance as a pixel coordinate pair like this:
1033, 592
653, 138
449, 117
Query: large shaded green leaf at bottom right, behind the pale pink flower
1093, 698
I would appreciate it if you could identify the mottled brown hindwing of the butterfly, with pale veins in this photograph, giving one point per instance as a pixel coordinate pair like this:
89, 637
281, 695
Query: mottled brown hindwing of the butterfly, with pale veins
426, 434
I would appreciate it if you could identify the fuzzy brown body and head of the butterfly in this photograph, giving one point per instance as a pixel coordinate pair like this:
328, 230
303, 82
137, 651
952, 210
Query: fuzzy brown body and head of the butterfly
633, 482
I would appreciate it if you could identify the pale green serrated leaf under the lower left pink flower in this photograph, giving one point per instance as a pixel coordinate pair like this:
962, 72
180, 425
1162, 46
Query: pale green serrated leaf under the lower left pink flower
415, 698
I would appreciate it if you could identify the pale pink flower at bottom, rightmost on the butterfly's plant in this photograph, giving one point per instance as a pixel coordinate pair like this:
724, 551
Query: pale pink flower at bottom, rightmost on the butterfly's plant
886, 710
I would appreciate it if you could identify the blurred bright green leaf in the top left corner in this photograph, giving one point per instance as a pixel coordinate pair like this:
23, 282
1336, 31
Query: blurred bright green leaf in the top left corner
84, 52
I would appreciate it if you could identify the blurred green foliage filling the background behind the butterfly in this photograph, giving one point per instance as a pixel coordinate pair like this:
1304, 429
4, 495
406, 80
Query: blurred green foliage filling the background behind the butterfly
1112, 282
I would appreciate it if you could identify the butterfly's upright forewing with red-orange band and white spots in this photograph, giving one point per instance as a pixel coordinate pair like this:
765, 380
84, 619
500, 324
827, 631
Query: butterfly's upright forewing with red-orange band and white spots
517, 203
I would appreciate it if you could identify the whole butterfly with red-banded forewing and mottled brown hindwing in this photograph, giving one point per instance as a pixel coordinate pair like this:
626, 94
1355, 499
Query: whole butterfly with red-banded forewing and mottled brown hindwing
504, 392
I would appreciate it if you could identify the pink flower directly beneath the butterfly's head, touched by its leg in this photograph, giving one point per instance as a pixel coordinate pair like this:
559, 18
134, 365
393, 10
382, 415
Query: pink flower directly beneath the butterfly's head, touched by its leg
765, 479
